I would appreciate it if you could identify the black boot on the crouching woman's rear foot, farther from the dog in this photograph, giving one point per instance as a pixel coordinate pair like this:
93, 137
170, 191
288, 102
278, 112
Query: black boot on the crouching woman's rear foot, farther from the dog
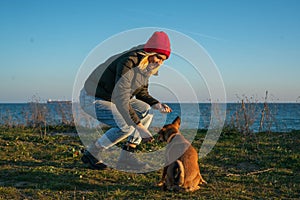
88, 158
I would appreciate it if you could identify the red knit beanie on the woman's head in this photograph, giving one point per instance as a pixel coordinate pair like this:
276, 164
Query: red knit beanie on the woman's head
159, 43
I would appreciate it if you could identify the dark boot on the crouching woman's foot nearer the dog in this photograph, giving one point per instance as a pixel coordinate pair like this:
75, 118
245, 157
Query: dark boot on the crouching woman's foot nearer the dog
128, 160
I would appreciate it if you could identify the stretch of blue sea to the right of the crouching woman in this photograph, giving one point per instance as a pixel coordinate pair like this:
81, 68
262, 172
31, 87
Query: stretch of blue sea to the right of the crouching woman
279, 117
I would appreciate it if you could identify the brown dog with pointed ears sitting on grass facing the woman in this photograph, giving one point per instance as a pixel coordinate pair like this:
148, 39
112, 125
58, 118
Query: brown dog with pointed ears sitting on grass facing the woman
182, 170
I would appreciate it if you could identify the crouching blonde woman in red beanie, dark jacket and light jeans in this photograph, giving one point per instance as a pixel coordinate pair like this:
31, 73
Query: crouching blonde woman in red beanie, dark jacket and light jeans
116, 94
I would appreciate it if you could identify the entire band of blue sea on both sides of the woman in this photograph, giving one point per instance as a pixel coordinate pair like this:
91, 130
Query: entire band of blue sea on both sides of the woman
275, 117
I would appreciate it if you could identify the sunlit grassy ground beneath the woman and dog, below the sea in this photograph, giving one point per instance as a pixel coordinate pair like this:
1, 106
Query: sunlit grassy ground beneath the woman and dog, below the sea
35, 166
